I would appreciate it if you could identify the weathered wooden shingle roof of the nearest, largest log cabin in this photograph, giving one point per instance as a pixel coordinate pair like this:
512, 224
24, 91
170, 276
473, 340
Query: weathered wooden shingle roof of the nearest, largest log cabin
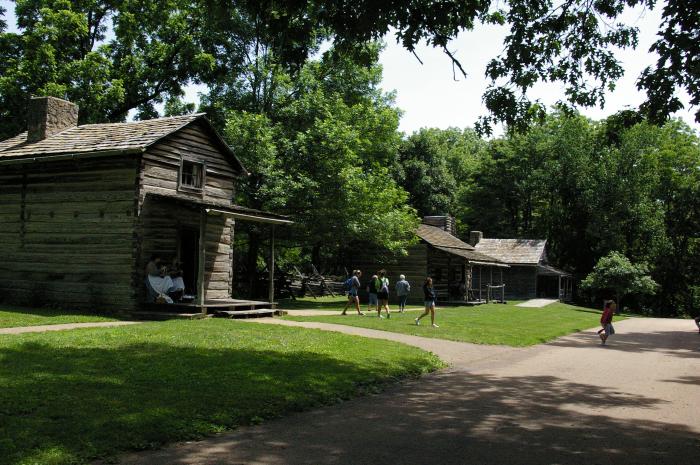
106, 138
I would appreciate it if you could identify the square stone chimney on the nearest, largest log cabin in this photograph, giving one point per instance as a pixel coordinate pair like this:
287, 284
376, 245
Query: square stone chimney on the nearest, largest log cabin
47, 116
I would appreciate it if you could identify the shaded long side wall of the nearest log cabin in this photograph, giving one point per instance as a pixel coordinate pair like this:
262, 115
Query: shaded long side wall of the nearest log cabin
66, 230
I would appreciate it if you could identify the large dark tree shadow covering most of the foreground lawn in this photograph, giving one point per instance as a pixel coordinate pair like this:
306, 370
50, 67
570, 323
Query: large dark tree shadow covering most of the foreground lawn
70, 404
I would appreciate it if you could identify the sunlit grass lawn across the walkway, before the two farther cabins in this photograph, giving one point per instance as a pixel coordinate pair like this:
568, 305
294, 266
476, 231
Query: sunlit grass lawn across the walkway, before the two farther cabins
485, 324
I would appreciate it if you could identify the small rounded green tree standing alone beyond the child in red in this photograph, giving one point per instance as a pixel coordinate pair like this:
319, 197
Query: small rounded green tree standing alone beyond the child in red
615, 272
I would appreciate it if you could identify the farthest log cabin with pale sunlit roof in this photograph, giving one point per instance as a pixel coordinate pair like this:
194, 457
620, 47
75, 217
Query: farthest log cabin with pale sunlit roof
529, 274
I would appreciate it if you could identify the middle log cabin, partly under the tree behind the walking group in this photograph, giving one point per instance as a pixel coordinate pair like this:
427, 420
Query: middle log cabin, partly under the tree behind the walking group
461, 275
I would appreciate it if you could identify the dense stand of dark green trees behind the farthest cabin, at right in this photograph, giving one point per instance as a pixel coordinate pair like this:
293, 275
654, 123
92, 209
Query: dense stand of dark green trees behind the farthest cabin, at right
588, 187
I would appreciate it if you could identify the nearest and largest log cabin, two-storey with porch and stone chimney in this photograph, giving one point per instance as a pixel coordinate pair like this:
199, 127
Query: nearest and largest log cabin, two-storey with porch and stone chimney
83, 208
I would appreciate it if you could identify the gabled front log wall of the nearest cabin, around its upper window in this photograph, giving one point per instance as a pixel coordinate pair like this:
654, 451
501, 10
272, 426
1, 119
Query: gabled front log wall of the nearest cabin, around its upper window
161, 220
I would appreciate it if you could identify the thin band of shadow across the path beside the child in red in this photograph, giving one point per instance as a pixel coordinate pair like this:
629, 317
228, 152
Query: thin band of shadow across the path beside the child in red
682, 344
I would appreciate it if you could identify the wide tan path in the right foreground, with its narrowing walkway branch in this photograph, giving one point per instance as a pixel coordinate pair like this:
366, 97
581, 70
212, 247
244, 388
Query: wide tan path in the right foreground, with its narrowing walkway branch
571, 401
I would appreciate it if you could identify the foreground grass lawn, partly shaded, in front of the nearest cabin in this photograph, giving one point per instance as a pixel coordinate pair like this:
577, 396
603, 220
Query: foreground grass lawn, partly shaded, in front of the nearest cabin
69, 397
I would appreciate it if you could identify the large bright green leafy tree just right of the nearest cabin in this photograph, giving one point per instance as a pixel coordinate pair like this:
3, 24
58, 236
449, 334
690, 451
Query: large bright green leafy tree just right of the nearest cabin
321, 153
